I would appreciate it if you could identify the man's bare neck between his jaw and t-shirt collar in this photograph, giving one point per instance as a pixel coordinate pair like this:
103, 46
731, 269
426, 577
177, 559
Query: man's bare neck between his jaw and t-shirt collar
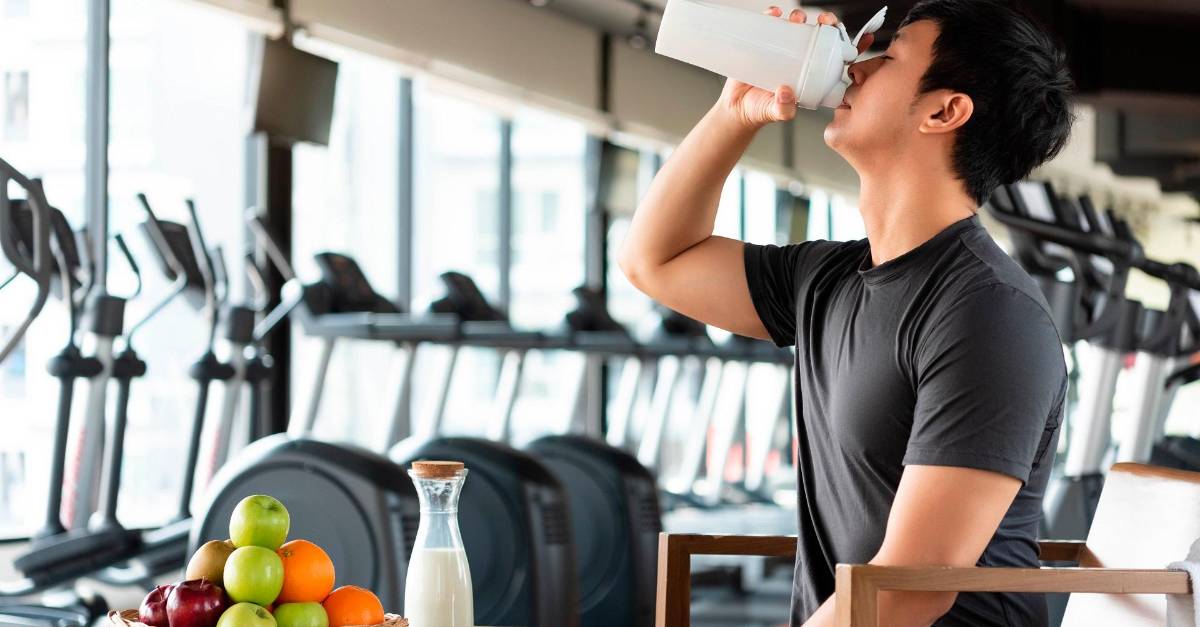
903, 210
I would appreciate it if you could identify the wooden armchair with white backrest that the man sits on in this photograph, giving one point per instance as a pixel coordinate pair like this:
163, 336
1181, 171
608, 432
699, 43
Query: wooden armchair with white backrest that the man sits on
1148, 517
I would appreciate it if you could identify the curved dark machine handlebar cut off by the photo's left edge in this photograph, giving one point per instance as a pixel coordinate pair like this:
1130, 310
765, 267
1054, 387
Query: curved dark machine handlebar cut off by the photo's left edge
39, 267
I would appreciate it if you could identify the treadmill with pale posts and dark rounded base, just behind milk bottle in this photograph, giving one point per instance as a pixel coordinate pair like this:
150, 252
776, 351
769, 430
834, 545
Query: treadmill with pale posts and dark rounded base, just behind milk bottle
514, 512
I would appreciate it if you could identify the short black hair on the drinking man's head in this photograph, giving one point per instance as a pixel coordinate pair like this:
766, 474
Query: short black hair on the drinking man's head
1018, 80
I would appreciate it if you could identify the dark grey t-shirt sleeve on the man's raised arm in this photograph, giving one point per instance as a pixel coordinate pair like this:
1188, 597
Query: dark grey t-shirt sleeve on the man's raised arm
773, 276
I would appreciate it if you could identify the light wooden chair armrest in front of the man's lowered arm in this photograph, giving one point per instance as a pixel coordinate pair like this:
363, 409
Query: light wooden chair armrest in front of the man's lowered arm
859, 586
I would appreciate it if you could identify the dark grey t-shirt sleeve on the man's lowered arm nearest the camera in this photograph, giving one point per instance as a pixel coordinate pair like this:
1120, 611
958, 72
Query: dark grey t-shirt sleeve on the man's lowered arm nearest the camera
991, 385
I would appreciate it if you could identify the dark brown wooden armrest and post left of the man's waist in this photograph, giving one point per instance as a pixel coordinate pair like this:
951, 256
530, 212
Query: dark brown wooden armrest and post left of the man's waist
674, 604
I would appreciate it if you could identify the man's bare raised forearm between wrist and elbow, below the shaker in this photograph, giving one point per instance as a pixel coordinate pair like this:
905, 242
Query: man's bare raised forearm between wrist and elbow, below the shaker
680, 210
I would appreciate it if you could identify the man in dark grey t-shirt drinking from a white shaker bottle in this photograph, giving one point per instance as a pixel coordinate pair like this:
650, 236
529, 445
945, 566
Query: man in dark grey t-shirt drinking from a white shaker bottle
929, 377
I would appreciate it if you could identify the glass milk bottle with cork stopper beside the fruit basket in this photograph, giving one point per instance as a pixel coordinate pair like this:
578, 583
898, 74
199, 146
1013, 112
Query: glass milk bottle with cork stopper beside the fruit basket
437, 592
